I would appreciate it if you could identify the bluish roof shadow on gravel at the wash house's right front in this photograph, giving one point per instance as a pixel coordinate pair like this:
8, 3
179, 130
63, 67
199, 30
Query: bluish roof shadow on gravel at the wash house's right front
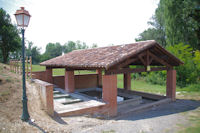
181, 105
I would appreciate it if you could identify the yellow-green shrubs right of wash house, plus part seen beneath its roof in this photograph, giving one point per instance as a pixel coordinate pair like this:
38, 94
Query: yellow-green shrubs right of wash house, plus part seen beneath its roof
187, 74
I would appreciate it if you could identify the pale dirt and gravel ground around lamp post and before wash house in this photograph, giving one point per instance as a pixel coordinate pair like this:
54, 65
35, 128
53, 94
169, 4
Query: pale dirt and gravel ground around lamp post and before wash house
162, 119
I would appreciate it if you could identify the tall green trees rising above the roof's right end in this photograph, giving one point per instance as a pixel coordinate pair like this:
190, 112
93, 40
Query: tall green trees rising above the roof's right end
175, 21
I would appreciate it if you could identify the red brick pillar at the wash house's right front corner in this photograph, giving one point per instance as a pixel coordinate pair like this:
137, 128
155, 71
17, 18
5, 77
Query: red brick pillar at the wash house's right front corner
171, 84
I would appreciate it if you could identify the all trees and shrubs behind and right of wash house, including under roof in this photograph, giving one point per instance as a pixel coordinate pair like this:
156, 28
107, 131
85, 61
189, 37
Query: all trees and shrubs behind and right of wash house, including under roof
177, 22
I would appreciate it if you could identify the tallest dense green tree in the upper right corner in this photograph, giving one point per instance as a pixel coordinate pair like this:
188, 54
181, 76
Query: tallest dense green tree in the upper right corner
182, 23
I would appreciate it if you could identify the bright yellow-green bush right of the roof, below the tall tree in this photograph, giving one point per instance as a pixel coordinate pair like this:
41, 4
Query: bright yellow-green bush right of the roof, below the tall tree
189, 72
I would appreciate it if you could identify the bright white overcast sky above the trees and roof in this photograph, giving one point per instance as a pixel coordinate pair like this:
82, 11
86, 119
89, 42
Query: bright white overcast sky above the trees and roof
103, 22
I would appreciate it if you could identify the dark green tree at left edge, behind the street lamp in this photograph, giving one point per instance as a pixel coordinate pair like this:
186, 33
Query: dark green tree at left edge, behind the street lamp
11, 41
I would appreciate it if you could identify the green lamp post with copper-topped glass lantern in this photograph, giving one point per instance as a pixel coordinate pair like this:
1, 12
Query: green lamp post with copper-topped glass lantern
22, 17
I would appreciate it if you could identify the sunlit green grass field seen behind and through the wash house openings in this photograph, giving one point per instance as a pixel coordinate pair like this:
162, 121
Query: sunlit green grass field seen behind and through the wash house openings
138, 85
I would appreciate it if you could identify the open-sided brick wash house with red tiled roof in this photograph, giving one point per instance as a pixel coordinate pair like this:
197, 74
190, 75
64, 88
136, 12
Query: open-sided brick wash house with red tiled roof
109, 61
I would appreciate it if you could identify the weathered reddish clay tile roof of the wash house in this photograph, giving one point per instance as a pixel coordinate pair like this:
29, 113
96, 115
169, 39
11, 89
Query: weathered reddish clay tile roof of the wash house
102, 57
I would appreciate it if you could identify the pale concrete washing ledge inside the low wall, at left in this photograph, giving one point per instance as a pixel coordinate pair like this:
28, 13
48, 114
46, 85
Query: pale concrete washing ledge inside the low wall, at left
79, 104
